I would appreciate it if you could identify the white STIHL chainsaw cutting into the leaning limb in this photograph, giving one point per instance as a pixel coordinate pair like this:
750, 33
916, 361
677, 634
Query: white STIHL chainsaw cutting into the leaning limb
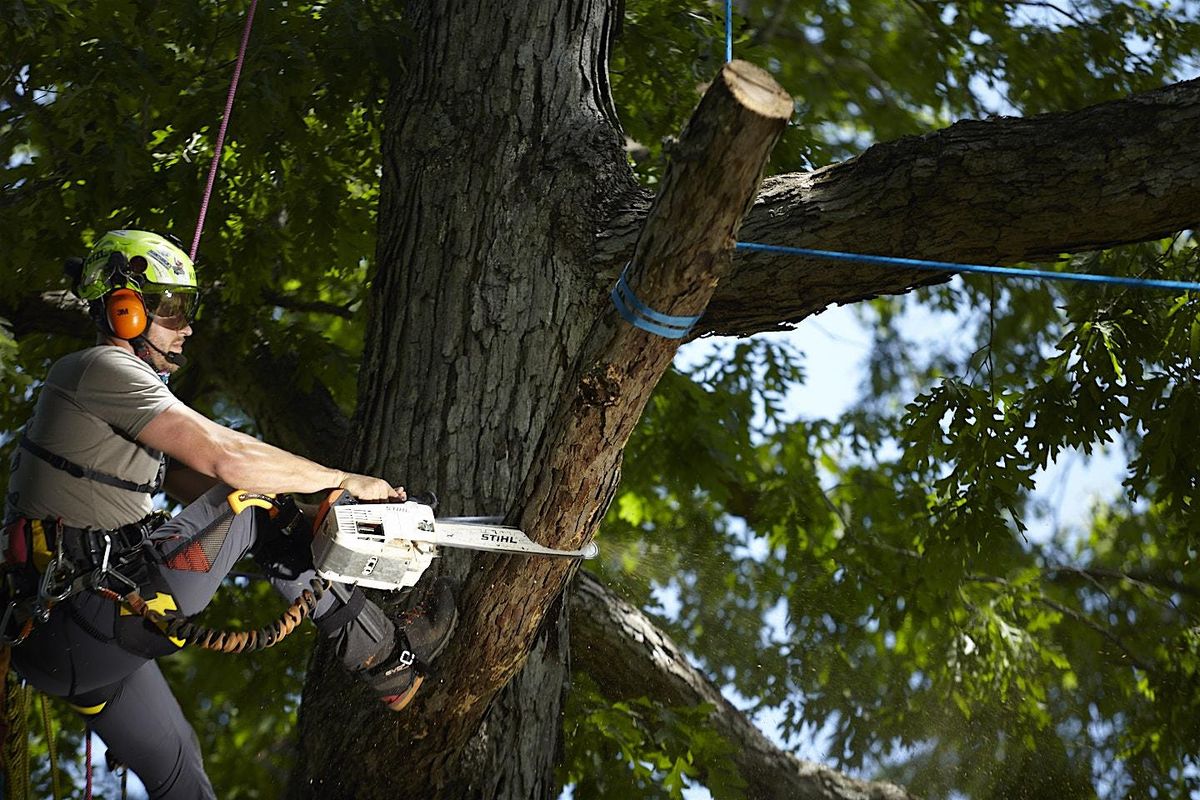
391, 545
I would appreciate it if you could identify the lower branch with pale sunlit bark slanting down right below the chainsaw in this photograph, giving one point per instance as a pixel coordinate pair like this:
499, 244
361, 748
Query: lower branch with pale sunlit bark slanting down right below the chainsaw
631, 658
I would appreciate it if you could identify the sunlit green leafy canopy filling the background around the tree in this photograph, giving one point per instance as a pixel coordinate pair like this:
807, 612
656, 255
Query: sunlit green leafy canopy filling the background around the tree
869, 576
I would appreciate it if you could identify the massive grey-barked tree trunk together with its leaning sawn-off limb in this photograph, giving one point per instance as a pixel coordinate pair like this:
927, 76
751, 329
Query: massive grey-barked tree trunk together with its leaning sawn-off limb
496, 371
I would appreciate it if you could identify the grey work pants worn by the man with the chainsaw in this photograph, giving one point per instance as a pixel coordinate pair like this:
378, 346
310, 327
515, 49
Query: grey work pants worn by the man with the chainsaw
103, 663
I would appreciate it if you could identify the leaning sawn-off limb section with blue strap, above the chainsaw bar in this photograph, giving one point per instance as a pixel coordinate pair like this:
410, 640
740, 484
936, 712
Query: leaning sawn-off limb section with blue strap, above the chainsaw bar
683, 251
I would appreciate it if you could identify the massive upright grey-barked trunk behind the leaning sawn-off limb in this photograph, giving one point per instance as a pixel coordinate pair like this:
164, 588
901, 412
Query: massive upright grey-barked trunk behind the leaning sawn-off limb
501, 159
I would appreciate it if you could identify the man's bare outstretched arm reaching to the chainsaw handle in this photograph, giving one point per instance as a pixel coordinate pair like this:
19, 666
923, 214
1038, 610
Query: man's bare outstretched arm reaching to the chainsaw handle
248, 464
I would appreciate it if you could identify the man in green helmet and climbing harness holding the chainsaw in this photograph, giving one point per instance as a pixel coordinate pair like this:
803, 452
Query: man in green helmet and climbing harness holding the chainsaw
81, 510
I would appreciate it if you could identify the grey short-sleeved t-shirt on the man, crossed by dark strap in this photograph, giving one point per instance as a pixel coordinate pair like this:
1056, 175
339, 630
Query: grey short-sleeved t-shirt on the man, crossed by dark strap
92, 408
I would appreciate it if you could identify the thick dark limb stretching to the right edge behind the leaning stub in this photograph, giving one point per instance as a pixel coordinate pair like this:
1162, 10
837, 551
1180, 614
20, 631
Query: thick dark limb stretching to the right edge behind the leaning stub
999, 191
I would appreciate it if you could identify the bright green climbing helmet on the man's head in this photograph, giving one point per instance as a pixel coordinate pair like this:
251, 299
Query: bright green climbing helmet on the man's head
154, 267
